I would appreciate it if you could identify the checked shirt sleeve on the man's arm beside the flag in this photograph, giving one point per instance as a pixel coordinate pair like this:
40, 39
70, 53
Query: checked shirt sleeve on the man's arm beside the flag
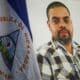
44, 67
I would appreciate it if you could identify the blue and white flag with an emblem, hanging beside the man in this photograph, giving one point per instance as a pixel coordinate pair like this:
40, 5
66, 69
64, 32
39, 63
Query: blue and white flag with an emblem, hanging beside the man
17, 59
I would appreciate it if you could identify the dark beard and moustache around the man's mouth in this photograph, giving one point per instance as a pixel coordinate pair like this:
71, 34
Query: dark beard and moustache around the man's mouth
64, 38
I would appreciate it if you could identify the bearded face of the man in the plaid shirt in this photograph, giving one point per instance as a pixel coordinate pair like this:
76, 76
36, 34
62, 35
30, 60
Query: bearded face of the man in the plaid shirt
60, 24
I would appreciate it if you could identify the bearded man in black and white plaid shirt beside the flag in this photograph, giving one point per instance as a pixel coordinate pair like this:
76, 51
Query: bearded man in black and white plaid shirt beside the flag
59, 59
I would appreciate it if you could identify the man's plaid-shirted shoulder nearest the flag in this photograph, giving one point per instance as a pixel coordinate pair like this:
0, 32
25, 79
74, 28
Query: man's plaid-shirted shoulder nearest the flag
43, 53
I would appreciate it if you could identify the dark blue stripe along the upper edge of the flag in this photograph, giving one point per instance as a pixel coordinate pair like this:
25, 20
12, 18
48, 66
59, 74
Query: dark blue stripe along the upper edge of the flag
21, 9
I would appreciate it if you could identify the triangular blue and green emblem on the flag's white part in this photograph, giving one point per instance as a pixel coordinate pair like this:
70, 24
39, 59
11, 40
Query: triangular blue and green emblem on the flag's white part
8, 47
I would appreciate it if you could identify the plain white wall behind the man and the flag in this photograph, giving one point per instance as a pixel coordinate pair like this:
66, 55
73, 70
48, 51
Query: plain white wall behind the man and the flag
37, 17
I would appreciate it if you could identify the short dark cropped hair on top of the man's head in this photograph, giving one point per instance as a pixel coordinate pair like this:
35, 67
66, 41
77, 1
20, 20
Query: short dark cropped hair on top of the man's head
56, 4
